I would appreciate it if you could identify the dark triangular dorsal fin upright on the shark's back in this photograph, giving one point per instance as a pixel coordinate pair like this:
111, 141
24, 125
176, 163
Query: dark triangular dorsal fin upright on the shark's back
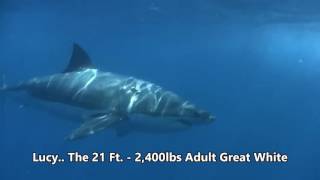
79, 60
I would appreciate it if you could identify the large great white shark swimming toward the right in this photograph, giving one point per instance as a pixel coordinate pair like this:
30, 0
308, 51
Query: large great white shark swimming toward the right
111, 100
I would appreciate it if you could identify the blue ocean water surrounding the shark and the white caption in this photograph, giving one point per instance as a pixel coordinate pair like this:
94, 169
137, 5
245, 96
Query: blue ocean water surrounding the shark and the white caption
254, 64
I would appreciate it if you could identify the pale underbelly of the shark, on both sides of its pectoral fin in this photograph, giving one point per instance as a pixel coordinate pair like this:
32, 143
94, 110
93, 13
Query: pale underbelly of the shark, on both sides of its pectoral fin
135, 122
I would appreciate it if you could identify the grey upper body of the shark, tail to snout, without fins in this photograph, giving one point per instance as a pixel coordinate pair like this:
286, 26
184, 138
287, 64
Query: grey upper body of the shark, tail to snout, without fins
104, 91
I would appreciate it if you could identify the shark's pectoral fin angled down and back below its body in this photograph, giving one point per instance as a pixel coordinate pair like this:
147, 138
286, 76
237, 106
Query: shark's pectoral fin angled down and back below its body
97, 123
